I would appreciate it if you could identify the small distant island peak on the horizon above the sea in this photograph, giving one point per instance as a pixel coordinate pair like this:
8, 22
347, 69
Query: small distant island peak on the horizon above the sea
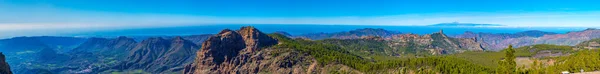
457, 24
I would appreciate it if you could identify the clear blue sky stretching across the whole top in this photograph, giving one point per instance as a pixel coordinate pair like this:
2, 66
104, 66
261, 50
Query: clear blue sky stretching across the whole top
87, 15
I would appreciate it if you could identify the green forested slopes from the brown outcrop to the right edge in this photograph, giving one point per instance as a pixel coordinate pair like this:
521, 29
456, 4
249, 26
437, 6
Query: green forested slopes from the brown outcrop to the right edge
351, 53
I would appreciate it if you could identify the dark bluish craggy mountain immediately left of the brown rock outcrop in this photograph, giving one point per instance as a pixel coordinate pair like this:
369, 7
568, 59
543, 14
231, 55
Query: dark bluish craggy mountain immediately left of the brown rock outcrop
158, 55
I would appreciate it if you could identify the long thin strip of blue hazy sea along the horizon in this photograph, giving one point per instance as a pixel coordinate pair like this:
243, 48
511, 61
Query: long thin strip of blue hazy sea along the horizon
298, 29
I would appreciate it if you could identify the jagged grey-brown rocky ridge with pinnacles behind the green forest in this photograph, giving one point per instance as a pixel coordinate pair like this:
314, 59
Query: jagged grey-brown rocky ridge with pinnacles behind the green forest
436, 43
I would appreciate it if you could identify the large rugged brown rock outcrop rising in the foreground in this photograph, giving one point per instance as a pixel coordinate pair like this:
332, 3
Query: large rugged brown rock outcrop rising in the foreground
231, 52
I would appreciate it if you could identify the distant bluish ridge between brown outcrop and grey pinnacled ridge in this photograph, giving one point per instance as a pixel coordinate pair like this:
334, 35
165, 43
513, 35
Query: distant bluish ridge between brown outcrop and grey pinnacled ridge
354, 34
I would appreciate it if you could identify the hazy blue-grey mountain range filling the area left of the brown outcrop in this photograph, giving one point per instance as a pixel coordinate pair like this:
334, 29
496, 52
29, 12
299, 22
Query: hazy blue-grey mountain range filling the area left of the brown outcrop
99, 55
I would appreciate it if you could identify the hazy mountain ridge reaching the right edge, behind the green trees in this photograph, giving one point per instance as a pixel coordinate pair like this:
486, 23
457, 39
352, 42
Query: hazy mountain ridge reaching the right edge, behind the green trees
500, 41
